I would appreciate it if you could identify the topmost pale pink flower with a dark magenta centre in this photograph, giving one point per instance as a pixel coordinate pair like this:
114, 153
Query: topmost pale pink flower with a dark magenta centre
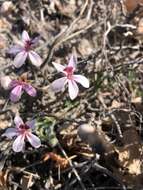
24, 50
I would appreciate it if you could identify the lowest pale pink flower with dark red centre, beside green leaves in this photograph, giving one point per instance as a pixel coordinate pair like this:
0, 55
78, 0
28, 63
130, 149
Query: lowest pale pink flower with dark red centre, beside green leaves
22, 132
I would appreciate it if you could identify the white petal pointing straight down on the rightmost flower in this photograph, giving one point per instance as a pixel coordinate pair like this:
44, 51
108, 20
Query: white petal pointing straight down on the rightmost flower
73, 89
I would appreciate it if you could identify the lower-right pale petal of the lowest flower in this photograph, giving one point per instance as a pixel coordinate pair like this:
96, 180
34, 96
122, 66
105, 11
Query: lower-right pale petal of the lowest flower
34, 140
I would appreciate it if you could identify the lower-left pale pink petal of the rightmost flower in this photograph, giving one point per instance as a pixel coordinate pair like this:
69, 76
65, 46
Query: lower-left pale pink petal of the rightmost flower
58, 84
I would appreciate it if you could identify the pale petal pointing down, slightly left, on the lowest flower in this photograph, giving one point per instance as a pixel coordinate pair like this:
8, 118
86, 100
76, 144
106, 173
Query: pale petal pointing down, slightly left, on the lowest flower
18, 144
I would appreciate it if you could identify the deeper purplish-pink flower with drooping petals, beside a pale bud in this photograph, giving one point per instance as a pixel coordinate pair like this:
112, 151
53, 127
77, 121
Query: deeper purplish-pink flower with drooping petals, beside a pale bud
18, 86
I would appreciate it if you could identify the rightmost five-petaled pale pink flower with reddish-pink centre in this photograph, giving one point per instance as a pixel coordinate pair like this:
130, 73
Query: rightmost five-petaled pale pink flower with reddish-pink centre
69, 78
